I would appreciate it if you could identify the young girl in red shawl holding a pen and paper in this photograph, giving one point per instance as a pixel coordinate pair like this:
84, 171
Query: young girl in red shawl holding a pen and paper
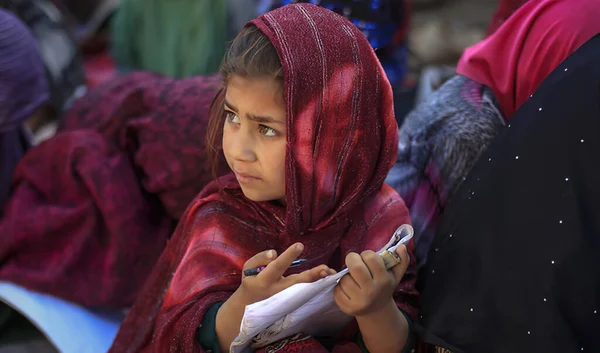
307, 127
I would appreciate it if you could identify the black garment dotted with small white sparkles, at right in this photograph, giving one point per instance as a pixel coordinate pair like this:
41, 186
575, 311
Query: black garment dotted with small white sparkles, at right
515, 266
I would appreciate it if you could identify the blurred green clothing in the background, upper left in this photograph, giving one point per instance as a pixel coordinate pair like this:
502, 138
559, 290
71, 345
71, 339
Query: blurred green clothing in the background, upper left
177, 38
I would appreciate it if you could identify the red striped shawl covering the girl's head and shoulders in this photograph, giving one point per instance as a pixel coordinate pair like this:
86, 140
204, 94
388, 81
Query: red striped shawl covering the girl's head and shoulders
341, 143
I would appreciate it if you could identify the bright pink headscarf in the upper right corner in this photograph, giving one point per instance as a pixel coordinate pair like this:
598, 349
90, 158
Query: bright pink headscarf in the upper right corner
510, 61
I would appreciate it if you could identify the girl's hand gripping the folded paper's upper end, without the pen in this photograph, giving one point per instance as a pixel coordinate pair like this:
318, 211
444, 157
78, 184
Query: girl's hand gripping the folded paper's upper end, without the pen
368, 287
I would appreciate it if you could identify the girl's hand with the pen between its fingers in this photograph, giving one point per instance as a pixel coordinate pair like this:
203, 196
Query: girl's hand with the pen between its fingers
270, 281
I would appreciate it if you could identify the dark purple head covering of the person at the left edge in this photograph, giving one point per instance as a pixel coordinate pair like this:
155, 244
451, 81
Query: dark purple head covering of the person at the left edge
23, 90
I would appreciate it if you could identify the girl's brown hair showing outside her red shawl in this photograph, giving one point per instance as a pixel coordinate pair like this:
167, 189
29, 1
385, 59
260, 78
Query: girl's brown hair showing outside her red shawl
250, 54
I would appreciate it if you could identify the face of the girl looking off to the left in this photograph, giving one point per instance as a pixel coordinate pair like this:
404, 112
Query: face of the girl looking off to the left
254, 136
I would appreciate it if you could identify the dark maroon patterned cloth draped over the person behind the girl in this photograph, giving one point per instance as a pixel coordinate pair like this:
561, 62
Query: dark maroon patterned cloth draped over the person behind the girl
93, 206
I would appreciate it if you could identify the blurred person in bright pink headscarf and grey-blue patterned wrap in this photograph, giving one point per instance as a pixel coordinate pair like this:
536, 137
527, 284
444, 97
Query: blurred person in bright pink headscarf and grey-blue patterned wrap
444, 136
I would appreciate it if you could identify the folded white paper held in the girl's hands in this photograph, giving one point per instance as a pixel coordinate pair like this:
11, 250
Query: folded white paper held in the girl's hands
307, 308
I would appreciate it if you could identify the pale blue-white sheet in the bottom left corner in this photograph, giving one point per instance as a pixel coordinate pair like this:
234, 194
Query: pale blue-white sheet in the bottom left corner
69, 327
